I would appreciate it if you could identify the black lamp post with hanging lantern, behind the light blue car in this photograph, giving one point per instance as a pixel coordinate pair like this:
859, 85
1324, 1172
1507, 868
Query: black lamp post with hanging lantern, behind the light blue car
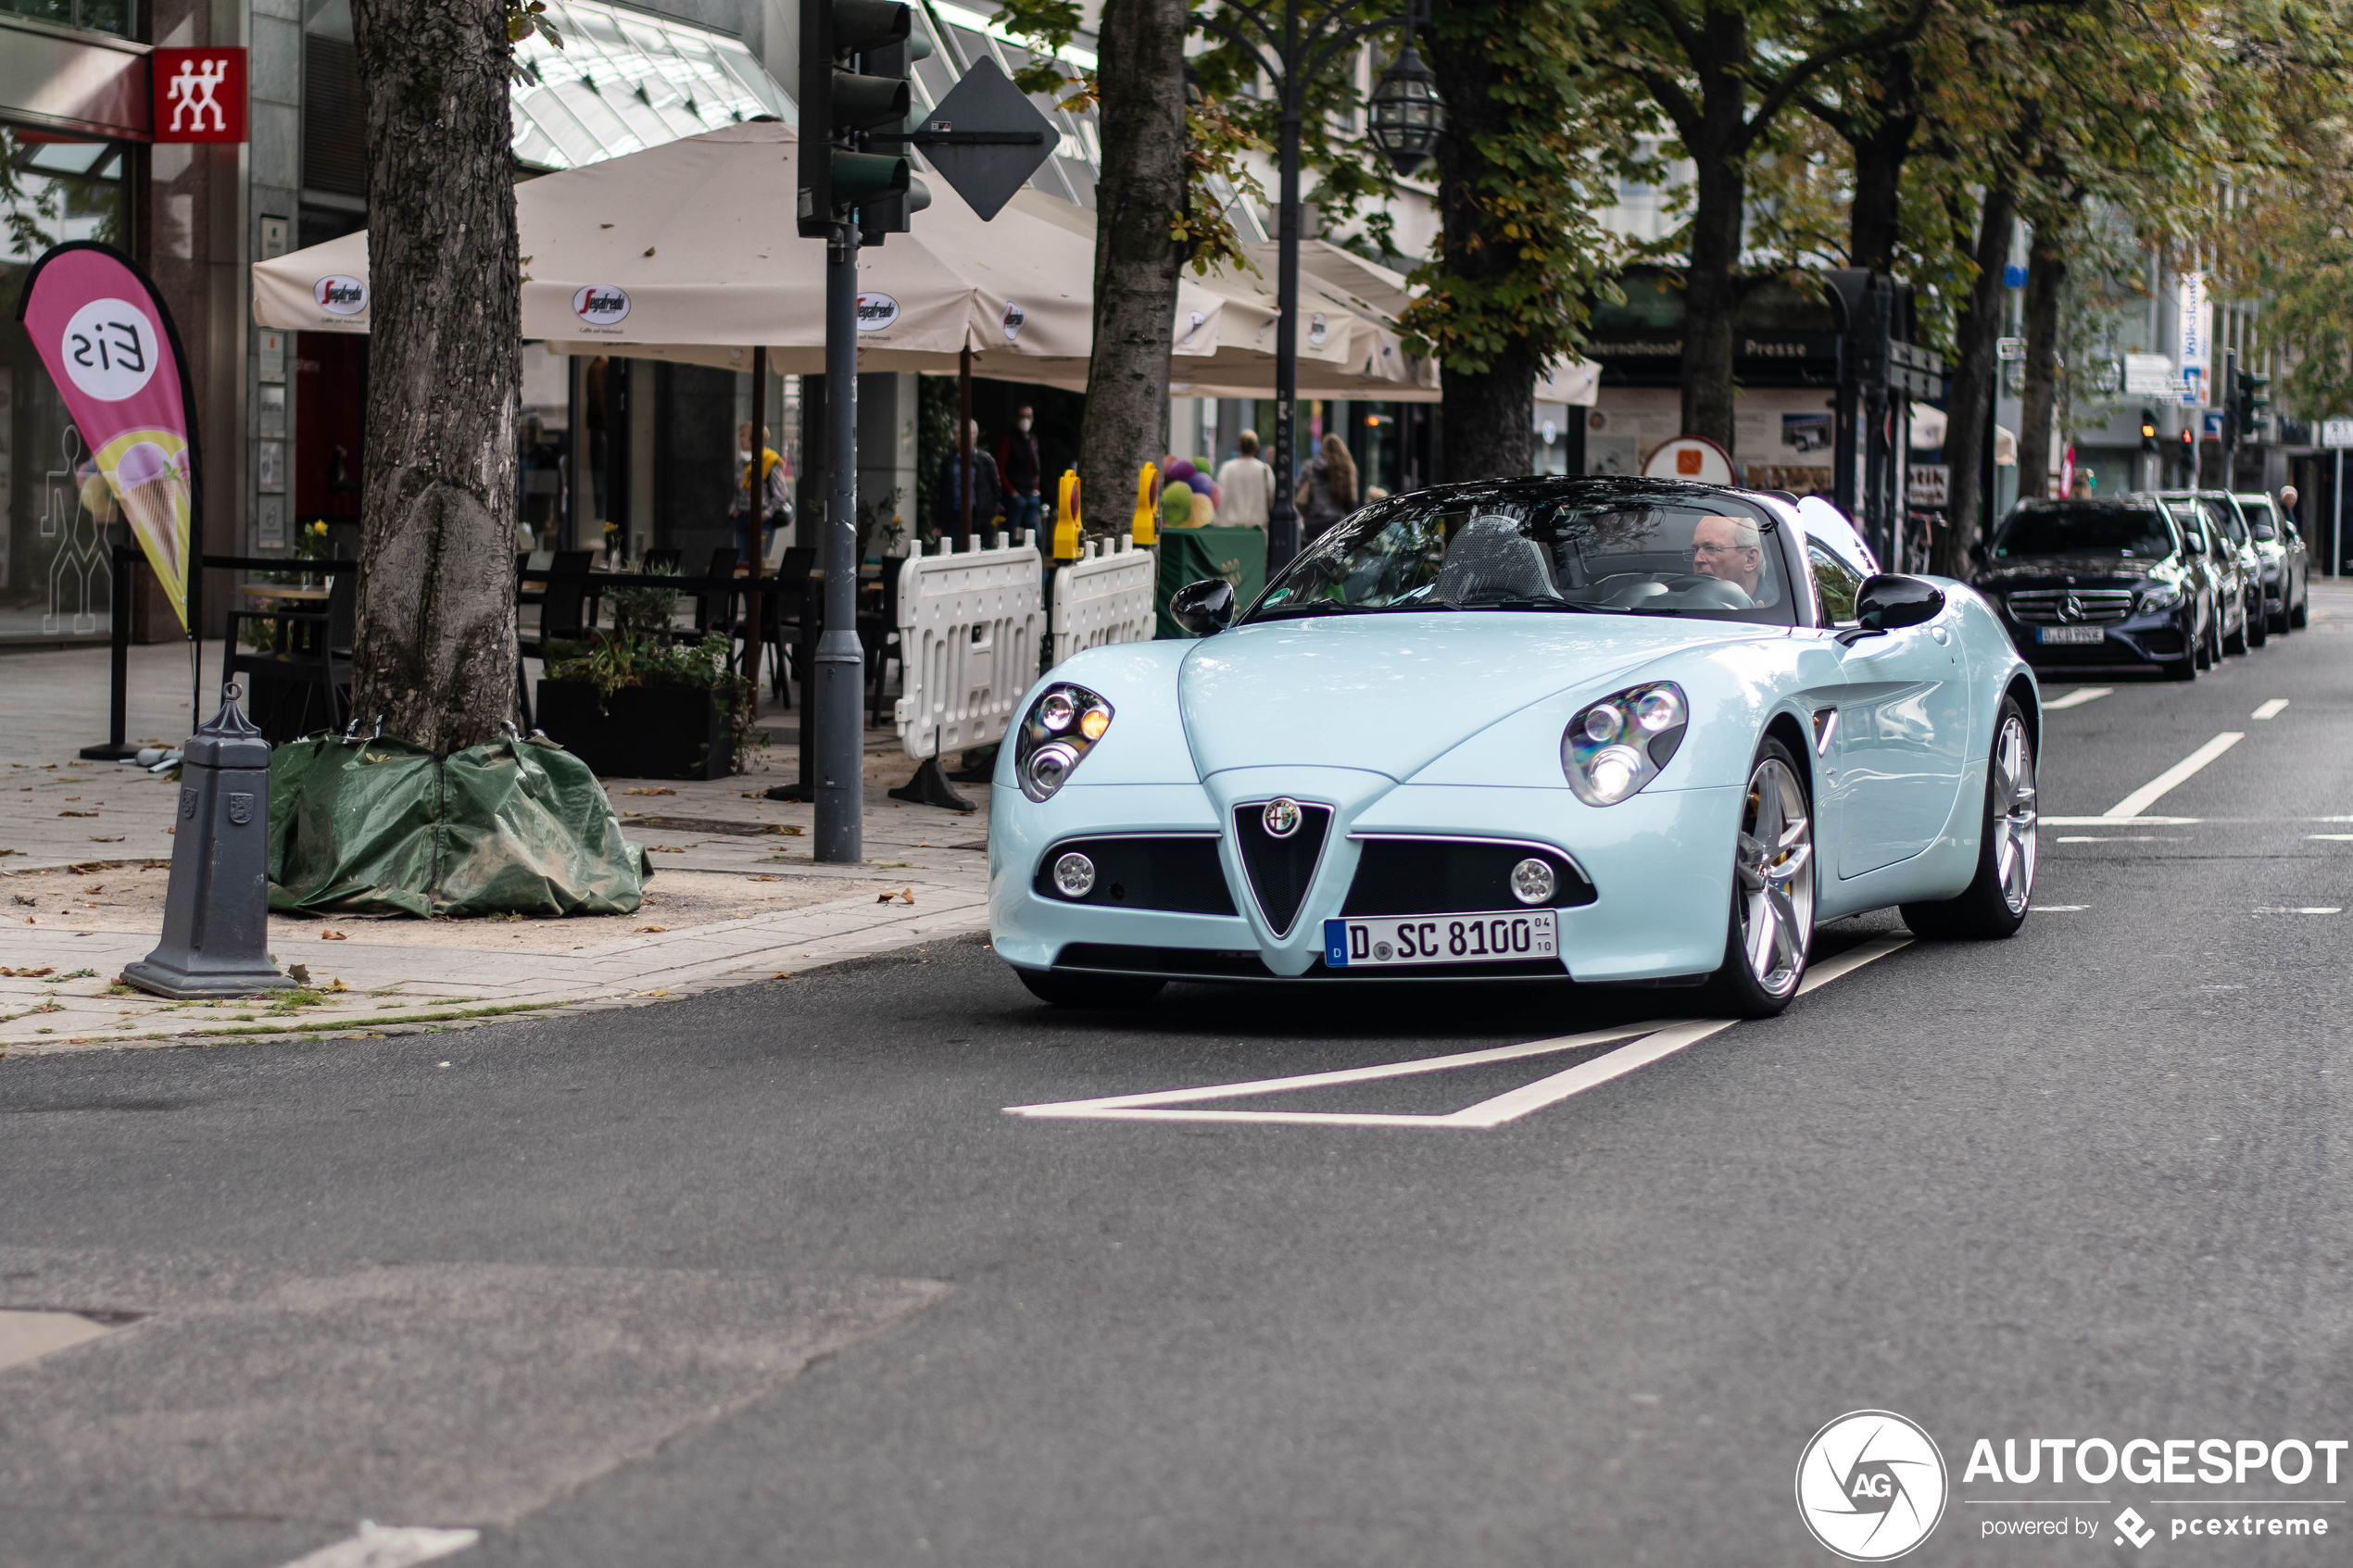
1404, 121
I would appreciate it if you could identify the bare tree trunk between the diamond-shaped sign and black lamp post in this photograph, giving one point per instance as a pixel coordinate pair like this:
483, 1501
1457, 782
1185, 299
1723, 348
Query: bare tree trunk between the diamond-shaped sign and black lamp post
1135, 262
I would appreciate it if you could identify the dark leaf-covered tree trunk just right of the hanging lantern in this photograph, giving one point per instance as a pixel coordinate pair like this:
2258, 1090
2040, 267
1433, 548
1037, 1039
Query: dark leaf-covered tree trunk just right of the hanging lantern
1491, 415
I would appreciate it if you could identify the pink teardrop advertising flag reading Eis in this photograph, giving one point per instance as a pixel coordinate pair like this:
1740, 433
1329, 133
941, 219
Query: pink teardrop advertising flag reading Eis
114, 356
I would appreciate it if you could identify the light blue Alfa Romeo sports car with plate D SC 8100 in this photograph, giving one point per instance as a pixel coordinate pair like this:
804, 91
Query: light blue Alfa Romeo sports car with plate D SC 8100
1599, 730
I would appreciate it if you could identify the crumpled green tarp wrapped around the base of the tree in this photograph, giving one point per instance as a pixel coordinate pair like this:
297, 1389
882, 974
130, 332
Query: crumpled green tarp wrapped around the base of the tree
387, 829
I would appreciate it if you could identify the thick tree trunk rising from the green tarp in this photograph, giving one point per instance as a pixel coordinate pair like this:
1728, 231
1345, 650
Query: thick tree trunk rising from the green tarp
436, 631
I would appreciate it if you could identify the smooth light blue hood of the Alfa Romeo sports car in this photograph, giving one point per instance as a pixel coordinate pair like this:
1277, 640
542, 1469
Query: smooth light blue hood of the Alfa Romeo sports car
1392, 692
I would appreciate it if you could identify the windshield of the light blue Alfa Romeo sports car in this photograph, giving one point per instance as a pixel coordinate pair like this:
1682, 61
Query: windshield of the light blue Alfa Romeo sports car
1622, 549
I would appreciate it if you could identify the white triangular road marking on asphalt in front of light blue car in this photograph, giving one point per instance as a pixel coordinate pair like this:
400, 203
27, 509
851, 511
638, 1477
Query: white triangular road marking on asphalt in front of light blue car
1651, 1043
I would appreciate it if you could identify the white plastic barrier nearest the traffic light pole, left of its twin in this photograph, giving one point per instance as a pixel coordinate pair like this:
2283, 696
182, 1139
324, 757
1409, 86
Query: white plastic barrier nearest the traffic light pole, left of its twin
968, 636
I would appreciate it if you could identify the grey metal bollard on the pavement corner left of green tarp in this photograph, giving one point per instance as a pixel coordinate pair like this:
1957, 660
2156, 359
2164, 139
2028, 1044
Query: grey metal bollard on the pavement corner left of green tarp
218, 909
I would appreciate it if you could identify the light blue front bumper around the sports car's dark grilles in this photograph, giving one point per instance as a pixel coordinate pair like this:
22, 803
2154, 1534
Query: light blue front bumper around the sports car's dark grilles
1660, 866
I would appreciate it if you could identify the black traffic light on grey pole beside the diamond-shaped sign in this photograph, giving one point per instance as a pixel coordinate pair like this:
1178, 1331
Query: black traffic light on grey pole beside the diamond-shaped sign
839, 102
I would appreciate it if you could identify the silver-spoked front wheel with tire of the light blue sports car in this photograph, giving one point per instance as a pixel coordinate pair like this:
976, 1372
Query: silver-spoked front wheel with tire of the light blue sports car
1773, 892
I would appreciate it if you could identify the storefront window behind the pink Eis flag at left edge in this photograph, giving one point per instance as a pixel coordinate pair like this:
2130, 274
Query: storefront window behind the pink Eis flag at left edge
55, 577
